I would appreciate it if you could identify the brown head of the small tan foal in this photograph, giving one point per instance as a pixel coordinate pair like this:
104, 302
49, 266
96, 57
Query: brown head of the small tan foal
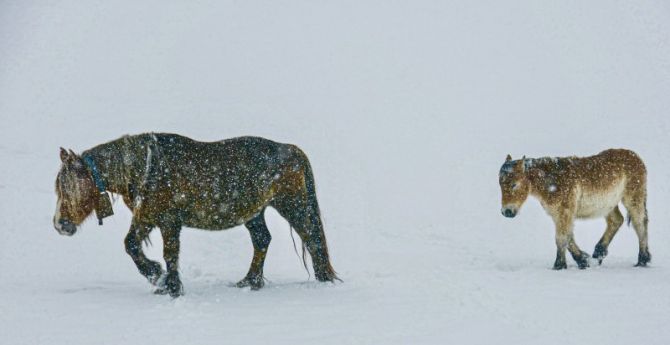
515, 186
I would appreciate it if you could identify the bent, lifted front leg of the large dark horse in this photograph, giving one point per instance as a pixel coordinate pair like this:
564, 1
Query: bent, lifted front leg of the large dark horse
150, 269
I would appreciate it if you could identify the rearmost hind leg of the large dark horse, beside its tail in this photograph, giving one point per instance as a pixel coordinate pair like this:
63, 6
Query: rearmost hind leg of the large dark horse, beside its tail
303, 215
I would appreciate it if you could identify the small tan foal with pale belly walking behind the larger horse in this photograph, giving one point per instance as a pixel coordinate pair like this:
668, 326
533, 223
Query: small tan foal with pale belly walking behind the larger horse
577, 188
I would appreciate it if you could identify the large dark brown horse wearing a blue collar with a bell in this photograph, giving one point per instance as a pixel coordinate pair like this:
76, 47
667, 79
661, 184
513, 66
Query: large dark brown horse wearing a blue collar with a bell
170, 181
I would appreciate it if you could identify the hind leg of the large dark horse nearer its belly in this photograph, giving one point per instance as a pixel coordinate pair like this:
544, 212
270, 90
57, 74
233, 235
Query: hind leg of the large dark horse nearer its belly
260, 238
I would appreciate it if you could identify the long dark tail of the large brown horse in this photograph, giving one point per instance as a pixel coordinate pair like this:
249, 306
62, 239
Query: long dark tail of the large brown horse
314, 214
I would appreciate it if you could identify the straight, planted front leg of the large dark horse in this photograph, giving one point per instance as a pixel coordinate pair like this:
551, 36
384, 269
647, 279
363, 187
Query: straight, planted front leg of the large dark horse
172, 283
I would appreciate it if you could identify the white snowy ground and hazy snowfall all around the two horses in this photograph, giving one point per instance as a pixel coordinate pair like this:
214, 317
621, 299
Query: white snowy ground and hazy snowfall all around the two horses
406, 109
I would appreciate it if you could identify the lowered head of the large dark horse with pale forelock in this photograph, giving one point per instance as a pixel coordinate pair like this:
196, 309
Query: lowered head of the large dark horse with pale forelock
76, 193
